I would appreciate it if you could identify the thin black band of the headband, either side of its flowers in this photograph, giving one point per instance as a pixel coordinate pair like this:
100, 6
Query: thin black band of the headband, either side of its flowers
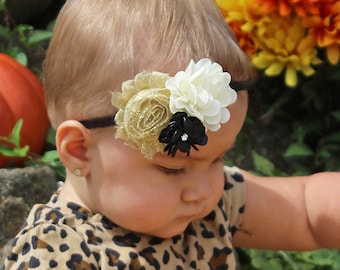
106, 121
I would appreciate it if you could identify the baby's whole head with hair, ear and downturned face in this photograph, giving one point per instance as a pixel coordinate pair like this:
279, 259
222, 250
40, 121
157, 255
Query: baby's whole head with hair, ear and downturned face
102, 47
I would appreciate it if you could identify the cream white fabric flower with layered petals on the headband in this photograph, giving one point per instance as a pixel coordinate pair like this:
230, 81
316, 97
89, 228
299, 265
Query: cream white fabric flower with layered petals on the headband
203, 91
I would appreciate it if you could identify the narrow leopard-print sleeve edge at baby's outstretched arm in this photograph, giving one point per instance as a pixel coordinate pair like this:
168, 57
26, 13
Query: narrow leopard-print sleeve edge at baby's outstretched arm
234, 199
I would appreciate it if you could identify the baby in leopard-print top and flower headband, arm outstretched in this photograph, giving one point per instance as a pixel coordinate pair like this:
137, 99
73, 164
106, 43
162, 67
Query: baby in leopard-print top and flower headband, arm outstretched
147, 97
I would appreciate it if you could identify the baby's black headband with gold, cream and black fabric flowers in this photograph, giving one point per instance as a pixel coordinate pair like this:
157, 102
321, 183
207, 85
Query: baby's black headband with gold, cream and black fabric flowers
157, 112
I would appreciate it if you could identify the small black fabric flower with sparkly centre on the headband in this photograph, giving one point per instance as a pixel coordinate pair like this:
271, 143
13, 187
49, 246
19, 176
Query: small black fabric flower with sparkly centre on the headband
182, 133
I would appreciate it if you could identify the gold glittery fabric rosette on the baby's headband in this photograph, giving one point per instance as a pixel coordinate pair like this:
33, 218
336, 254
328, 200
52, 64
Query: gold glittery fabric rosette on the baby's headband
143, 111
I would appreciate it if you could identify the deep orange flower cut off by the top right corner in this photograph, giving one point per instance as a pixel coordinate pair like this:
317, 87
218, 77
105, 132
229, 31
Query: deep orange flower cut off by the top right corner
325, 29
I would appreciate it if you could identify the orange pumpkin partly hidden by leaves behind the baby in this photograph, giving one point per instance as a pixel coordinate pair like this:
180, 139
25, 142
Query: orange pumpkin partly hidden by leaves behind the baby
22, 96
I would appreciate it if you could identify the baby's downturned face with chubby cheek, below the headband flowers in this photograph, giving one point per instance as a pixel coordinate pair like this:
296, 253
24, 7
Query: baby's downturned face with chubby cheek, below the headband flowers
161, 196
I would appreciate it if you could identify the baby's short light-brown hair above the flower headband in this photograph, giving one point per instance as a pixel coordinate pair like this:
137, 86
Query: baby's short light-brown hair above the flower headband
97, 45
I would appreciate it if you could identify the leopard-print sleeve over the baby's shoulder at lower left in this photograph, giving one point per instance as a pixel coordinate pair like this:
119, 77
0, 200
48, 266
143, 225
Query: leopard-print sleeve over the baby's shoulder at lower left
49, 246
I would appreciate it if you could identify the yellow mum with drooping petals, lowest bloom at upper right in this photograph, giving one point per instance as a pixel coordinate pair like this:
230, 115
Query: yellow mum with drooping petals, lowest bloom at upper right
284, 46
